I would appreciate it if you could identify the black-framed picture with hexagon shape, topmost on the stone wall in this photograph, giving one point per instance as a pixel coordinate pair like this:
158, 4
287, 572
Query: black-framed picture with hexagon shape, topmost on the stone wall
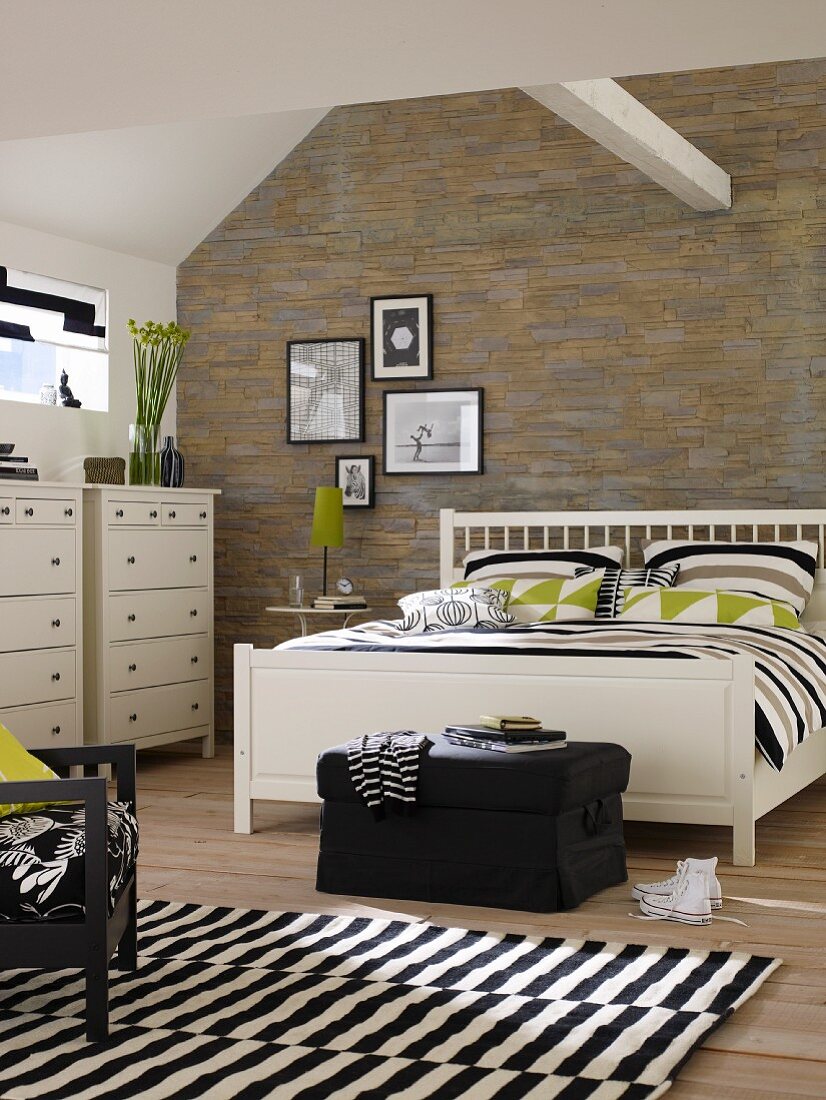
403, 338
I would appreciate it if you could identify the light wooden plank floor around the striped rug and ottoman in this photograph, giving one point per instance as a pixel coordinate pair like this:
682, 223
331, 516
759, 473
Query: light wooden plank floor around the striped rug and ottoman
775, 1047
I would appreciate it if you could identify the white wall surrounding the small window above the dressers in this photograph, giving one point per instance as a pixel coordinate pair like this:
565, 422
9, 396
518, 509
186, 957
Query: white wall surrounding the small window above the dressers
57, 439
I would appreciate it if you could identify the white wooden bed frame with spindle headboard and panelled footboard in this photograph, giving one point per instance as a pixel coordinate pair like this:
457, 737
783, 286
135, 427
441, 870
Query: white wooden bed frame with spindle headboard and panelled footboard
690, 724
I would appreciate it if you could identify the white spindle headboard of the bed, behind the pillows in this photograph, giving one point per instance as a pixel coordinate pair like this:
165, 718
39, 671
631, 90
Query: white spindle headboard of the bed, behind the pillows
461, 532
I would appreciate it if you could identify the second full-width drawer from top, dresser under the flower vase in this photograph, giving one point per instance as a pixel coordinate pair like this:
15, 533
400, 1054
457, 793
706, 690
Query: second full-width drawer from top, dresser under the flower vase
159, 614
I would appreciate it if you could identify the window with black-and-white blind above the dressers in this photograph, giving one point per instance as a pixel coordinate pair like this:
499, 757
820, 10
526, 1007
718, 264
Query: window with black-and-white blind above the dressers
49, 326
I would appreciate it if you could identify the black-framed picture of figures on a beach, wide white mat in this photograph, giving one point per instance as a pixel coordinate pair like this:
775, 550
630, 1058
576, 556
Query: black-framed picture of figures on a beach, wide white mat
433, 432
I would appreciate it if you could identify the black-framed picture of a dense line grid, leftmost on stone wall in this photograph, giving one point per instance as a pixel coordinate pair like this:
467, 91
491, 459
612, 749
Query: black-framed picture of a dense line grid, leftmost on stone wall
326, 391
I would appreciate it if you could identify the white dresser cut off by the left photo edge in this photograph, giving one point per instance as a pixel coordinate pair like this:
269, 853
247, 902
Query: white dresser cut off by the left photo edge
41, 622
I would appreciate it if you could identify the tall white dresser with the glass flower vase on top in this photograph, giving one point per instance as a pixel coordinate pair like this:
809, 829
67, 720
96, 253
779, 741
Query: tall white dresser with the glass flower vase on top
148, 615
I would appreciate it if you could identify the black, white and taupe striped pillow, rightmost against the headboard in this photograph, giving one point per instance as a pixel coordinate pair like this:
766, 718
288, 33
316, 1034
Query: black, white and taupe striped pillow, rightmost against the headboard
775, 570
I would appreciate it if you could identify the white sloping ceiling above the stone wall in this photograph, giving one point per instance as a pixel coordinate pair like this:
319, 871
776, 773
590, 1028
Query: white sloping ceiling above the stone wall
222, 92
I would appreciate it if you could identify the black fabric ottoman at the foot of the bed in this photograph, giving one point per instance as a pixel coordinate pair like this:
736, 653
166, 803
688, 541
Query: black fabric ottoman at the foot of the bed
535, 831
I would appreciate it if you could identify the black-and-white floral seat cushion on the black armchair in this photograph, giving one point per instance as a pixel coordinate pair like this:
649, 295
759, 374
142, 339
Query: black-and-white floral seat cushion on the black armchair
42, 865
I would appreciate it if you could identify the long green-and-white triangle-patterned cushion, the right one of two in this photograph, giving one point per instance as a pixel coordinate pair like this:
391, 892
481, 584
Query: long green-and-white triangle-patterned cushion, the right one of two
690, 606
